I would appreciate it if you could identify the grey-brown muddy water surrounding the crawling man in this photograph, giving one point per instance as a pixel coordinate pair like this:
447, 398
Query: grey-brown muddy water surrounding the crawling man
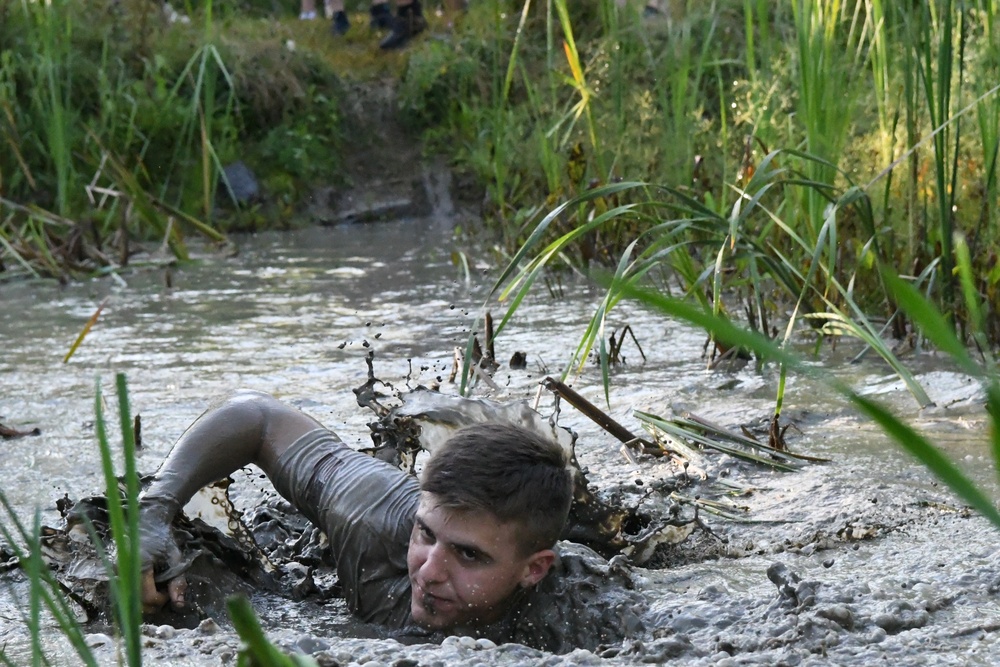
860, 560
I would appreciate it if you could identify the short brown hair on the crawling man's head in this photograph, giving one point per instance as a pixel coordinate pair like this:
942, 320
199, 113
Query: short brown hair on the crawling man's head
512, 473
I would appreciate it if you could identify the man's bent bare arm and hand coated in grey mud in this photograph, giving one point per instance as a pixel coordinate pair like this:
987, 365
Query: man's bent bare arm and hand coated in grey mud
248, 427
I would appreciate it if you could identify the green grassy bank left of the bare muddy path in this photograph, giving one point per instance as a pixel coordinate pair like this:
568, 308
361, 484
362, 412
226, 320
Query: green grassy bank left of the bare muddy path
127, 135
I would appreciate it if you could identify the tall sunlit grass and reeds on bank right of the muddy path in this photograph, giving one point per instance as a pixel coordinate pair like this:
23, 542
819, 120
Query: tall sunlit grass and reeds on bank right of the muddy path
858, 99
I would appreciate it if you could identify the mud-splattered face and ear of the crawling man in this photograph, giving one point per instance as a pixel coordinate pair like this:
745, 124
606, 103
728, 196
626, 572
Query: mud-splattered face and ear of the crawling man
465, 565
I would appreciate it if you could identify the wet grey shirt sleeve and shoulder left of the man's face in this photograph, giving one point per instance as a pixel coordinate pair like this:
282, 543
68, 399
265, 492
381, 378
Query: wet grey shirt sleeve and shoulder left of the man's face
366, 508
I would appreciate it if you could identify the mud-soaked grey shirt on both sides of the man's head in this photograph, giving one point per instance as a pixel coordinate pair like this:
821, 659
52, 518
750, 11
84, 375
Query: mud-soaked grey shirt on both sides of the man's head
366, 508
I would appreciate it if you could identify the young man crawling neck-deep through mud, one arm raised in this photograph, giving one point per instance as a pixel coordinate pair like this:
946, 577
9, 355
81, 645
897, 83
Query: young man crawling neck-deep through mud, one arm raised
461, 552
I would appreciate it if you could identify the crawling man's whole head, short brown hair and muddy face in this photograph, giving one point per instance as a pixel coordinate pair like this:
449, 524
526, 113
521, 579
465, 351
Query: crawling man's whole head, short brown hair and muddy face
495, 498
